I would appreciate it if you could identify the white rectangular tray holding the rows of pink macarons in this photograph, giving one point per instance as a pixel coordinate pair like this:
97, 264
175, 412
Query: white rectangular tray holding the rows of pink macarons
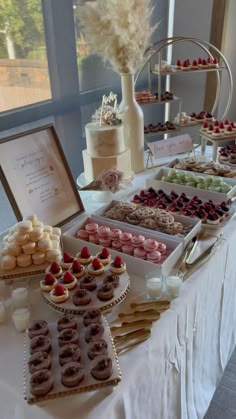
134, 265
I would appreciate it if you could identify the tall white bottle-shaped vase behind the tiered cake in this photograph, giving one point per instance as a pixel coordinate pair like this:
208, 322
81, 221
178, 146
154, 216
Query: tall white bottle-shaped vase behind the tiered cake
132, 118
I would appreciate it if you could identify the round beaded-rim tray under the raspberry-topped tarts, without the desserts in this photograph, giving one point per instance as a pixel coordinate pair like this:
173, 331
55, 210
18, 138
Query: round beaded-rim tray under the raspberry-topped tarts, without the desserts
68, 307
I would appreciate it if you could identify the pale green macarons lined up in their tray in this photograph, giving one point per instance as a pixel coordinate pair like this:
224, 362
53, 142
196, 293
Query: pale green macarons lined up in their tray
210, 183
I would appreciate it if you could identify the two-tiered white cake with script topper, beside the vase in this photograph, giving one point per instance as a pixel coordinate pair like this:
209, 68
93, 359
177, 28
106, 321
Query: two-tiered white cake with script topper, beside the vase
106, 147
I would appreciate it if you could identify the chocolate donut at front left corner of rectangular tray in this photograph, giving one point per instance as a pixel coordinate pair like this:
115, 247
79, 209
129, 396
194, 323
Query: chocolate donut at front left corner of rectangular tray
41, 382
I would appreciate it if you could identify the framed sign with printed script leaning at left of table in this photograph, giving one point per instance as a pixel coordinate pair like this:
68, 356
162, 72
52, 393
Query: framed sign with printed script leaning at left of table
37, 178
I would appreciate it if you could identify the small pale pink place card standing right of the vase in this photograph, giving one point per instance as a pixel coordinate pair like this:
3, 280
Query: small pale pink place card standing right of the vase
171, 146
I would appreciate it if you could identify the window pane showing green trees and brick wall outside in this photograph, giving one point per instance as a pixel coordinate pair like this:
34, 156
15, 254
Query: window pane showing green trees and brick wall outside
24, 78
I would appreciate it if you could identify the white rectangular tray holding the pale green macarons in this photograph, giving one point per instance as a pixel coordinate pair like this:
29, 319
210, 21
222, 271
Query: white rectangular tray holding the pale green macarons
216, 197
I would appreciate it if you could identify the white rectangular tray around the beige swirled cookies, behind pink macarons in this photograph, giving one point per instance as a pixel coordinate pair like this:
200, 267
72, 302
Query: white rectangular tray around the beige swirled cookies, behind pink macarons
193, 224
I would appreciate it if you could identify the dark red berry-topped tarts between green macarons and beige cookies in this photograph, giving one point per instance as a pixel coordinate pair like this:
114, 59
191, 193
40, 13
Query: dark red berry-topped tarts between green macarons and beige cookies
207, 211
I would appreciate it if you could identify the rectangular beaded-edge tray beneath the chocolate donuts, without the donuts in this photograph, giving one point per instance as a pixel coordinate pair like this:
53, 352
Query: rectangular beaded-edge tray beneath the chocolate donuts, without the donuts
88, 383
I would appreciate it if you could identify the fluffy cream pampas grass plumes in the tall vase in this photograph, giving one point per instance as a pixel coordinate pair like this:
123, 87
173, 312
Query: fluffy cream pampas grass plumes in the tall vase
119, 31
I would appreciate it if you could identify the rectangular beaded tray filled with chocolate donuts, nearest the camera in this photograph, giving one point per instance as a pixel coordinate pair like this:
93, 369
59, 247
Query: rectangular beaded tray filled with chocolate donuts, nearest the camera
80, 358
